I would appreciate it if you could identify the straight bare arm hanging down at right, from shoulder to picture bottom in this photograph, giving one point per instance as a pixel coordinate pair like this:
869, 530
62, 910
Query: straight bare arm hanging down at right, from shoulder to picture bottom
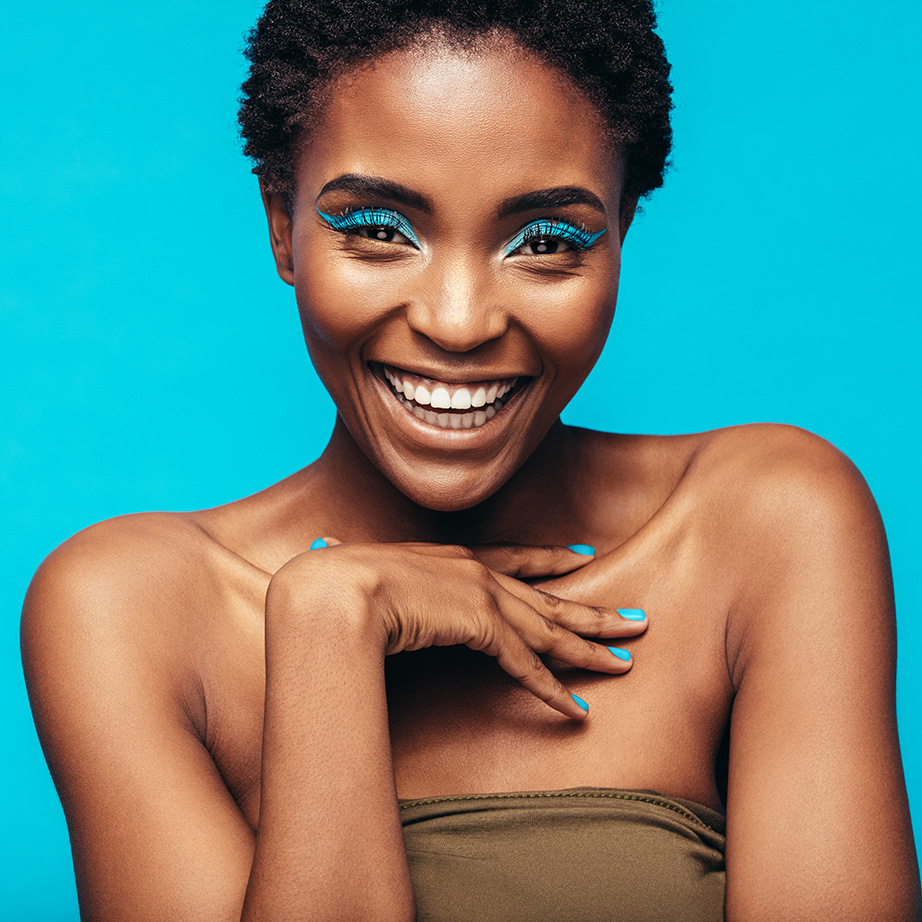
818, 819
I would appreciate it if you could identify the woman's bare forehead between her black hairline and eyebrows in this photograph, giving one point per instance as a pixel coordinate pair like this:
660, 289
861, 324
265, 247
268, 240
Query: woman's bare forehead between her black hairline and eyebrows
485, 122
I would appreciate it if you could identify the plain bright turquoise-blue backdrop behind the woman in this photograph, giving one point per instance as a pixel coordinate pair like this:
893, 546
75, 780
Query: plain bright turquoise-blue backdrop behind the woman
151, 359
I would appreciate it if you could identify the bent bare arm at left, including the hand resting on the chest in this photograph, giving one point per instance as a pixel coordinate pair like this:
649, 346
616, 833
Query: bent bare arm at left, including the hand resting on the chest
155, 832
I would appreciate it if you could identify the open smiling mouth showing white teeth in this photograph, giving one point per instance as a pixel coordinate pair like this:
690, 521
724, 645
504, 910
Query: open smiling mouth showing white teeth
446, 405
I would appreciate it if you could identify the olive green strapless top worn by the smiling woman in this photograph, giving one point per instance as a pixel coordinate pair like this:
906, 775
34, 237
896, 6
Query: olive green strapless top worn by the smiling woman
579, 855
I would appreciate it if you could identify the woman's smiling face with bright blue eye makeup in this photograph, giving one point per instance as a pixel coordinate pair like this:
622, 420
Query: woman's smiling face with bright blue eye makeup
454, 244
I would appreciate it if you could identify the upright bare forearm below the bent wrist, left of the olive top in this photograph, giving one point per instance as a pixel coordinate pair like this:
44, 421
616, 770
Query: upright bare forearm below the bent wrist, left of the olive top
329, 843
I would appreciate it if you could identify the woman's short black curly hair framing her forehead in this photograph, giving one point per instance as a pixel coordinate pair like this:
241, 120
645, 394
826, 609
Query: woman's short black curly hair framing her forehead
607, 47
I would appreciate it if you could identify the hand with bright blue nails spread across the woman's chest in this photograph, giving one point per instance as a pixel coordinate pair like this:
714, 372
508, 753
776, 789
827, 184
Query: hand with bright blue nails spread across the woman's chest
441, 595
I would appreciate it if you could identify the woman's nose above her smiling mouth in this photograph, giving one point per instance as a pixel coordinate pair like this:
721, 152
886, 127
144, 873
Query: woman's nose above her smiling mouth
457, 307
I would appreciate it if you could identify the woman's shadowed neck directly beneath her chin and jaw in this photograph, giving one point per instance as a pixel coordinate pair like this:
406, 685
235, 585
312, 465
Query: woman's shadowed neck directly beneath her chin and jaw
536, 505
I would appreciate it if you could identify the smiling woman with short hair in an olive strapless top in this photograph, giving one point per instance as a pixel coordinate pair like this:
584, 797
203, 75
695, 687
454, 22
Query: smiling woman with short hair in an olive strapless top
244, 721
